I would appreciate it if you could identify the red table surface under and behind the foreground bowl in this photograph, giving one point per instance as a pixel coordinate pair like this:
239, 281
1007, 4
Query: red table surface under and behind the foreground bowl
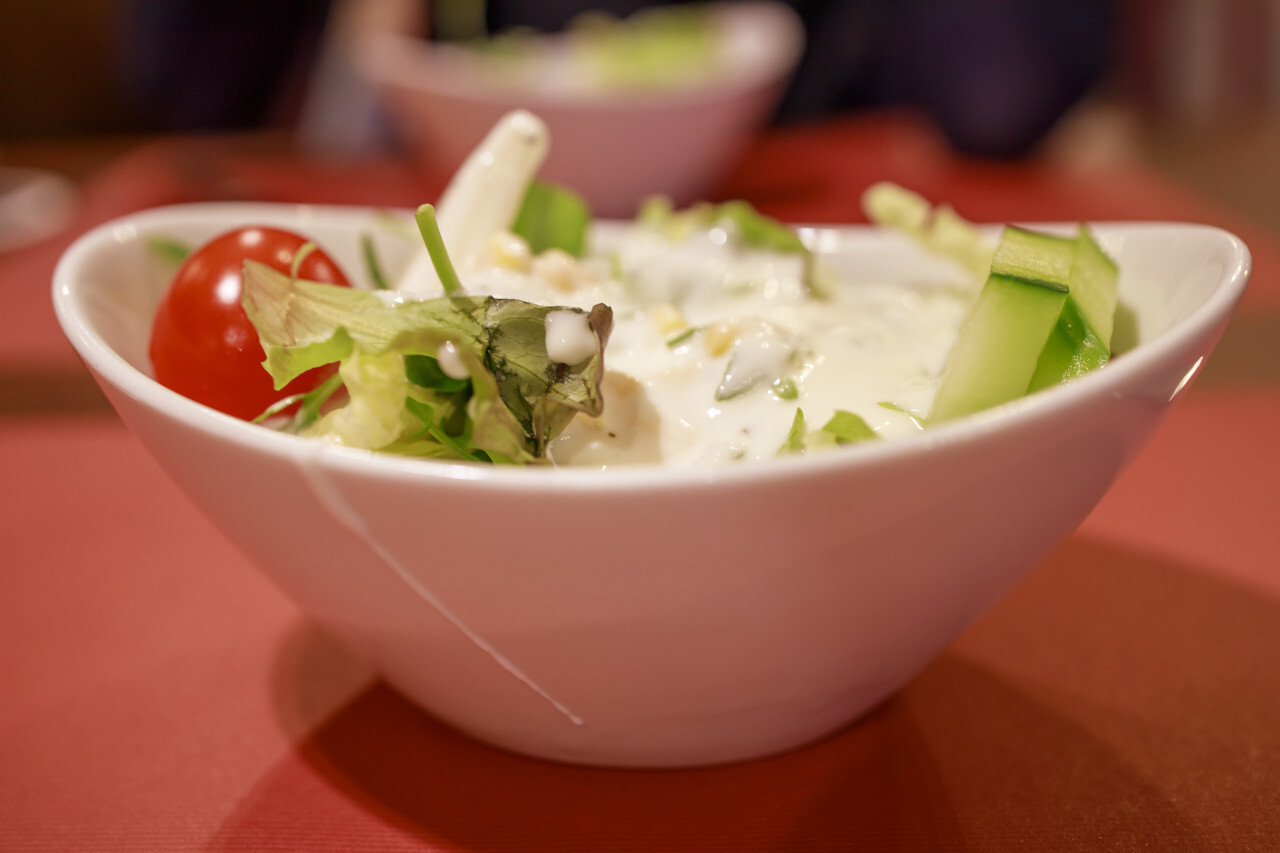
159, 695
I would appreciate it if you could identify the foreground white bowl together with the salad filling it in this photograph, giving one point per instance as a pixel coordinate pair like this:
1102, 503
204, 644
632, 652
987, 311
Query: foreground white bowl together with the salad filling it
642, 495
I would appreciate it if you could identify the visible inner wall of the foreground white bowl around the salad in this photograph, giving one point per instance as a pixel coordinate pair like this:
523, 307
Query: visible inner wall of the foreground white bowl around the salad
1176, 279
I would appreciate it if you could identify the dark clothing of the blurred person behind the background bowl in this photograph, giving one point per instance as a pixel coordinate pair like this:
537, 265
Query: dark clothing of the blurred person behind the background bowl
995, 75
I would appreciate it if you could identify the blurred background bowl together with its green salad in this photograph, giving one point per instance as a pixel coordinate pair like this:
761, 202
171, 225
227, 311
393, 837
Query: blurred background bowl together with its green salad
625, 126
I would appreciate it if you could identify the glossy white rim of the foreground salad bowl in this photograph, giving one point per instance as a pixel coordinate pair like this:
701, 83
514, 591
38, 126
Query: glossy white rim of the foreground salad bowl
115, 370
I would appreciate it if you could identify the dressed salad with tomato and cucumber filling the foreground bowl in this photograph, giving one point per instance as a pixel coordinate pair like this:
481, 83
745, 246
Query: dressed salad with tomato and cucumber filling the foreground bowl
522, 332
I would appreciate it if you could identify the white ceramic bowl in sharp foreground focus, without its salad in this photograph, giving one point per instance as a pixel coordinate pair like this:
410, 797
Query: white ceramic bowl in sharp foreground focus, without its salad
657, 617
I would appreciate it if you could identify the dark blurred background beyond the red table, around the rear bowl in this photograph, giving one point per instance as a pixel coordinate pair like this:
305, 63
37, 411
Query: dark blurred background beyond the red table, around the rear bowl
1191, 88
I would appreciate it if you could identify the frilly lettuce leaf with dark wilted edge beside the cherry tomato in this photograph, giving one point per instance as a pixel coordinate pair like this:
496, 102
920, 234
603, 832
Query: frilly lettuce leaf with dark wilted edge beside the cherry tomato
519, 399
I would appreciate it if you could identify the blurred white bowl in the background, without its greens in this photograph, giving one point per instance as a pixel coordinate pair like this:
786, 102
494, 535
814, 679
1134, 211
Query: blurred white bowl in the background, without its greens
612, 149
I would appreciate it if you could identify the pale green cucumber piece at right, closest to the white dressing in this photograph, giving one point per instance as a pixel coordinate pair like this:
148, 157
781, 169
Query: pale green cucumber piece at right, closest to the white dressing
1008, 329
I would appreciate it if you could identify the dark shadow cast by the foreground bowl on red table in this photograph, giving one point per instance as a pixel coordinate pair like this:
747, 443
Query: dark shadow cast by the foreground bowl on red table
968, 756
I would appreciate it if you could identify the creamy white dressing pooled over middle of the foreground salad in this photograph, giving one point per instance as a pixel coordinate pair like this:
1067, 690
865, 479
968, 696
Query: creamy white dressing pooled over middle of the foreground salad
715, 346
